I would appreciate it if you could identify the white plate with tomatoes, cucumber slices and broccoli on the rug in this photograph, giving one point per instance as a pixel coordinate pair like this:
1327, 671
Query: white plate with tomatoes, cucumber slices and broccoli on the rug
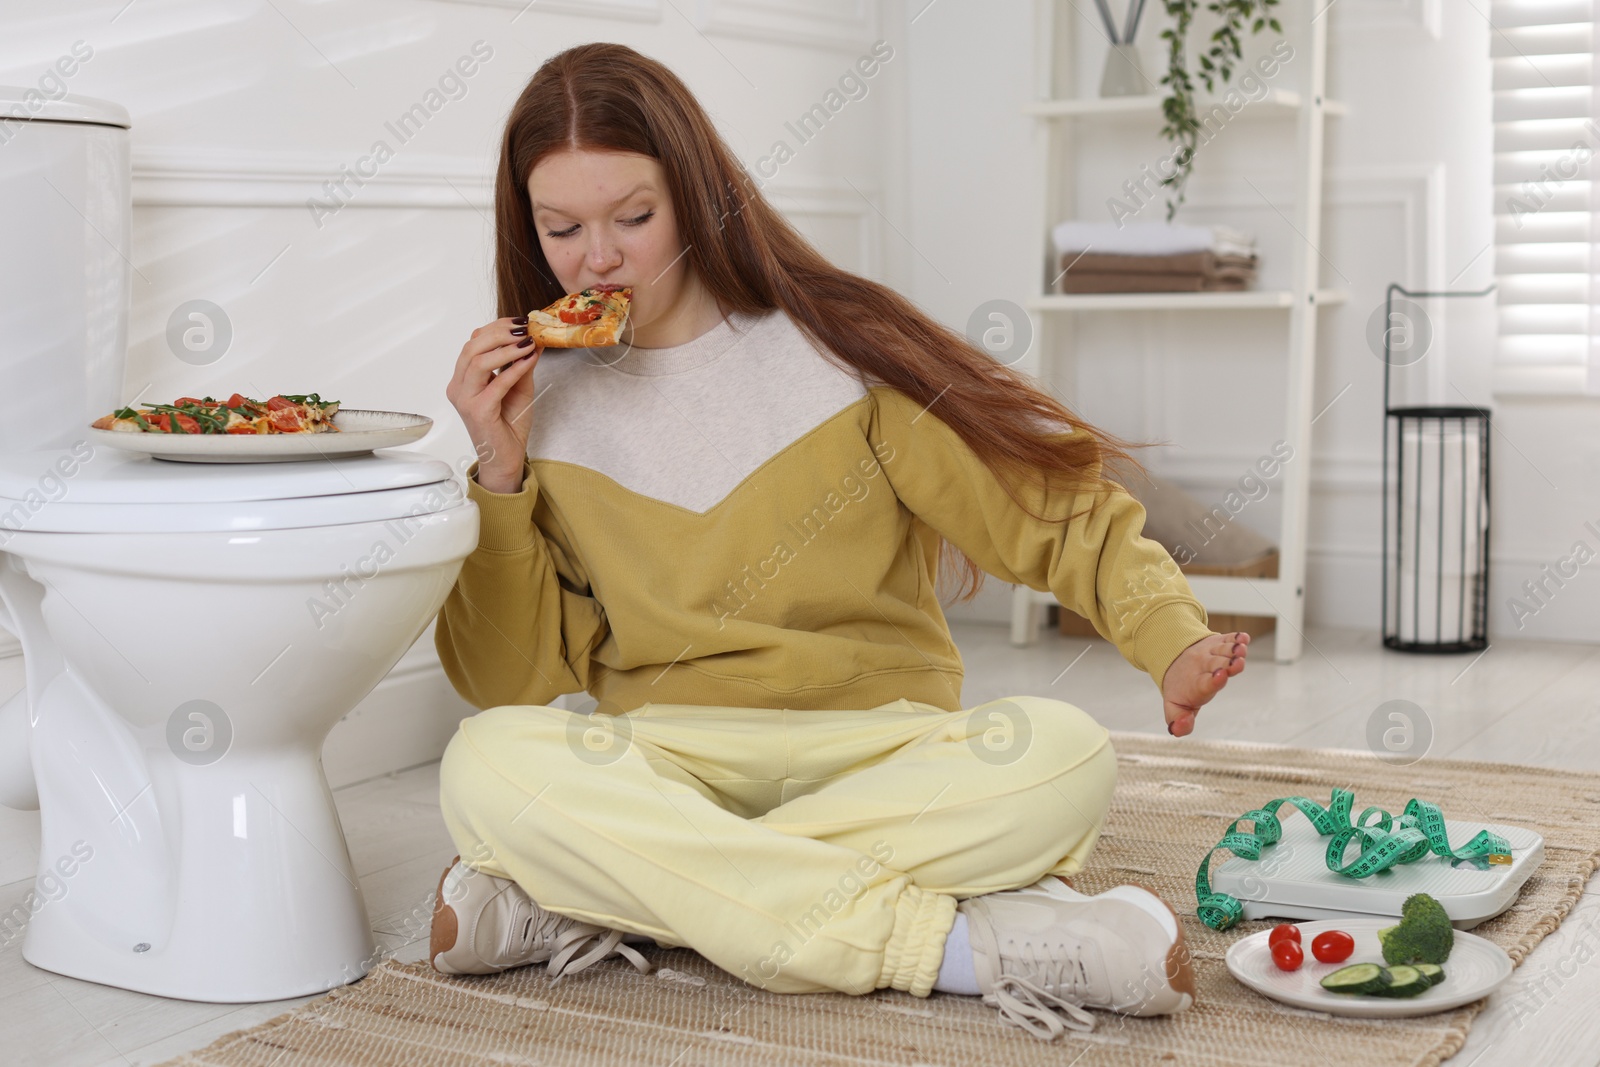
1377, 969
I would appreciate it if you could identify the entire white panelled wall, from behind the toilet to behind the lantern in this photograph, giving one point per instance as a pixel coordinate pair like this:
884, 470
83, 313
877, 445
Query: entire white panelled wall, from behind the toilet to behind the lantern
242, 111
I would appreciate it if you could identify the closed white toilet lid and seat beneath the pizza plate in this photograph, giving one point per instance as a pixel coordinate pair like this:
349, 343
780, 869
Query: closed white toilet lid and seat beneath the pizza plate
105, 490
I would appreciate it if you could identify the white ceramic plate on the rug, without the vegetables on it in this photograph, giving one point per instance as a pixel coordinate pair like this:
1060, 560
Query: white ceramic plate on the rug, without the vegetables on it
1476, 969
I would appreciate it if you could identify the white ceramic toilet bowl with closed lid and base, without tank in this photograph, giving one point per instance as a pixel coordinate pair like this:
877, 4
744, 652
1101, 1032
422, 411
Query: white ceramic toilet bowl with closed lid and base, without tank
191, 634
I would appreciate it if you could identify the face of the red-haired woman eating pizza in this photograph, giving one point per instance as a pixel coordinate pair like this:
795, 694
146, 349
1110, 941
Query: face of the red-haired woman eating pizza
607, 217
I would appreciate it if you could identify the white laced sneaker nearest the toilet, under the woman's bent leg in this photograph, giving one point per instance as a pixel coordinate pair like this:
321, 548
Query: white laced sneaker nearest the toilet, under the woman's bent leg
484, 925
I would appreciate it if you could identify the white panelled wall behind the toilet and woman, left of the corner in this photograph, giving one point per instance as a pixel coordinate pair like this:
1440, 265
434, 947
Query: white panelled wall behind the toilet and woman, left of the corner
242, 111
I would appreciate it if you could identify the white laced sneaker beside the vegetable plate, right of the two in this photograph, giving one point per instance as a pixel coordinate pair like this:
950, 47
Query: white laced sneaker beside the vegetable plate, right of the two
1046, 953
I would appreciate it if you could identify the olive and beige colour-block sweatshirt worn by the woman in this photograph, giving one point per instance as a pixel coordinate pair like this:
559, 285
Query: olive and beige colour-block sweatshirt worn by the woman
740, 522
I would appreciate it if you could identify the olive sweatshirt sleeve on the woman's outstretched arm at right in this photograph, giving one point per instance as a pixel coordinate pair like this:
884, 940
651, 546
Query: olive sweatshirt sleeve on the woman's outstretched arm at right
1098, 565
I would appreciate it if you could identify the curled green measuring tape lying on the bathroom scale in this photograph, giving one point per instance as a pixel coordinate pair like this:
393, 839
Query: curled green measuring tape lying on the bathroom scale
1383, 839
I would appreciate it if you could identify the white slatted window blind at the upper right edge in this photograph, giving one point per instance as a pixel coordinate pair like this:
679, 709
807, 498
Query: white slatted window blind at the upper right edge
1546, 201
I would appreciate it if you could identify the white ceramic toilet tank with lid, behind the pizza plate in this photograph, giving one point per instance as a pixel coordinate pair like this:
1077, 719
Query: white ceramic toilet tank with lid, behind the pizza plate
66, 196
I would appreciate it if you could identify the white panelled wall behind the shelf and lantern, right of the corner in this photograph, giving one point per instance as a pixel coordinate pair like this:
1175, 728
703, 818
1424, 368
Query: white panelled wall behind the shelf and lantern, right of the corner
1407, 199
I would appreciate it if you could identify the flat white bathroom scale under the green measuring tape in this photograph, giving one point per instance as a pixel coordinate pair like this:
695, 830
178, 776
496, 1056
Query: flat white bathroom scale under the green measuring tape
1292, 879
